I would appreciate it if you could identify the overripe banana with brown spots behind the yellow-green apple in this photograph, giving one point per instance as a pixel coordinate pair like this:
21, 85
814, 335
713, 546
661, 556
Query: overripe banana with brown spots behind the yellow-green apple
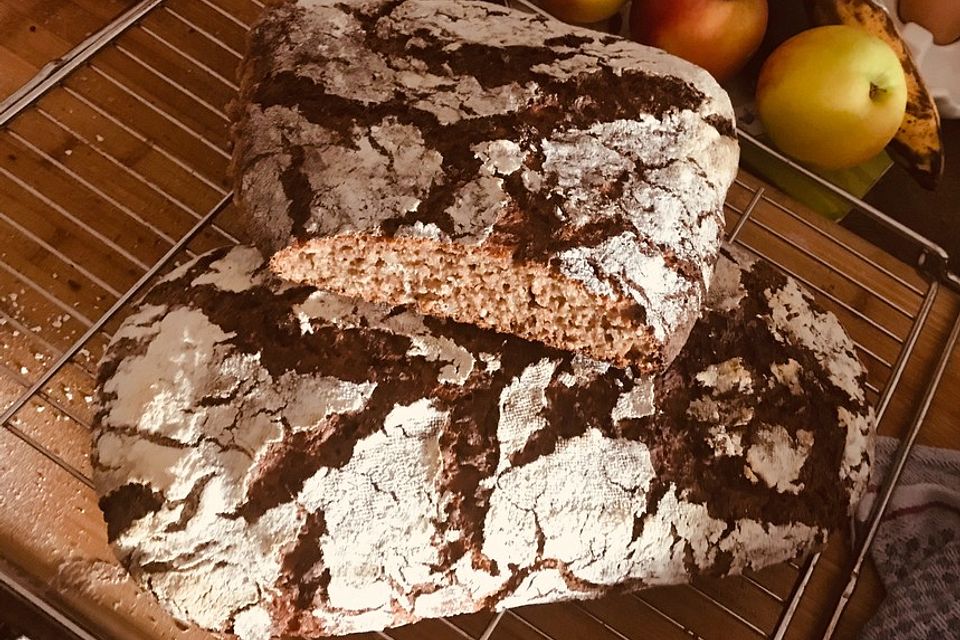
918, 145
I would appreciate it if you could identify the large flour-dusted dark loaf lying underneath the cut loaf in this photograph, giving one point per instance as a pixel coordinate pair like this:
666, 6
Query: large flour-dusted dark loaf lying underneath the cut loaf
275, 460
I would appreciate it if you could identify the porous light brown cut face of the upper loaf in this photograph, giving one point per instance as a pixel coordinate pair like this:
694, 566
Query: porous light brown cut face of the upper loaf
481, 287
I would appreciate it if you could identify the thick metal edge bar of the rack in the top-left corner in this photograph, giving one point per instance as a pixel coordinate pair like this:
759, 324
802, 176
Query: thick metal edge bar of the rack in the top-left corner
56, 70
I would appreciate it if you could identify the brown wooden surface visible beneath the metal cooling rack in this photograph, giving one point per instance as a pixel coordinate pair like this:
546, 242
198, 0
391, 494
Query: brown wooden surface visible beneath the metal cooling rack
103, 174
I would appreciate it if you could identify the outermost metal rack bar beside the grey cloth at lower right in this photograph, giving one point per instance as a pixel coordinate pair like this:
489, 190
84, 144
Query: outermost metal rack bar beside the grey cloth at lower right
890, 482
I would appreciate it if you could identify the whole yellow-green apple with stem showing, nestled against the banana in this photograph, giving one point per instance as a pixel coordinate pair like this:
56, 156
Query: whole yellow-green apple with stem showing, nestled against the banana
832, 97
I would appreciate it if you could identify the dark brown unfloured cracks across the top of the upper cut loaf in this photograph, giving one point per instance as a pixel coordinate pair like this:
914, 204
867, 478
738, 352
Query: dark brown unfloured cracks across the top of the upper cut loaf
565, 105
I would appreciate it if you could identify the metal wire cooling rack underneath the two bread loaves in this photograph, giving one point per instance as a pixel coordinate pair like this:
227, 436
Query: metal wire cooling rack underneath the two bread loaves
139, 78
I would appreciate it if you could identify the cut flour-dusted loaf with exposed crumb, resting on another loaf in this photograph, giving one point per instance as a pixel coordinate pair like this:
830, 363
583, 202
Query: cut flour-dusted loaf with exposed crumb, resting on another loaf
388, 132
